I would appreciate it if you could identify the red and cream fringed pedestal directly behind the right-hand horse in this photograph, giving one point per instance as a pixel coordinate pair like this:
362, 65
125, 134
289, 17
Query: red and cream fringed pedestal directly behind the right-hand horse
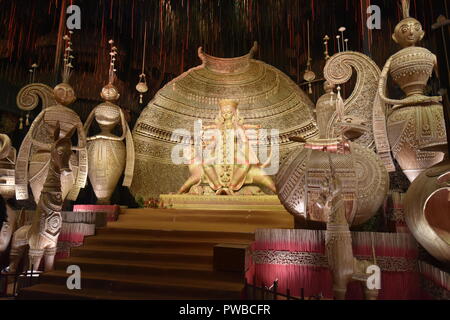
297, 258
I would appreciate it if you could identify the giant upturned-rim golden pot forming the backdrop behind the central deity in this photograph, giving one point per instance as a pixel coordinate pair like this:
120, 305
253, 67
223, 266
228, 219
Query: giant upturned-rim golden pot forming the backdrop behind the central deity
266, 97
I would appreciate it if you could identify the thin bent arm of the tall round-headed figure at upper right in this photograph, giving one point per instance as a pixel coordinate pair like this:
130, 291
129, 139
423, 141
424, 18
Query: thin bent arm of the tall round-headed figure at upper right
411, 100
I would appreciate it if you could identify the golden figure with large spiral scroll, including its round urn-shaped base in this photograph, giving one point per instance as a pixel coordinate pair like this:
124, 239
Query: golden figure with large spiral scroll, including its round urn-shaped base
346, 130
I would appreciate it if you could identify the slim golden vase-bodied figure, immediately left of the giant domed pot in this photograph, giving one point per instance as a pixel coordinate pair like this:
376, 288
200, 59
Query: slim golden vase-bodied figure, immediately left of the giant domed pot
108, 155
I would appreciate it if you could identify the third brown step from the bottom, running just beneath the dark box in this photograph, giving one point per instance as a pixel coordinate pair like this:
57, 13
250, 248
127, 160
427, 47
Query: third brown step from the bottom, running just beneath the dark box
172, 269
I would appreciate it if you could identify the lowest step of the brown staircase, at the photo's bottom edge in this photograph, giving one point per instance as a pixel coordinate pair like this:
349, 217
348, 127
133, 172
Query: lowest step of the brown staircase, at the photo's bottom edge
56, 292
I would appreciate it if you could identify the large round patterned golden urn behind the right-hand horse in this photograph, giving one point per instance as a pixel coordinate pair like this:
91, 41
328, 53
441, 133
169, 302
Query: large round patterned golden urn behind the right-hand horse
364, 180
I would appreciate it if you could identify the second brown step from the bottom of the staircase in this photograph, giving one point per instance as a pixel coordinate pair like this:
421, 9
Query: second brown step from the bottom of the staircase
214, 289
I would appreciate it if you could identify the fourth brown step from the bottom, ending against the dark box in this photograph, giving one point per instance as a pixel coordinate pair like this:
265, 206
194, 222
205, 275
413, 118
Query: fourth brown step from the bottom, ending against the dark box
186, 255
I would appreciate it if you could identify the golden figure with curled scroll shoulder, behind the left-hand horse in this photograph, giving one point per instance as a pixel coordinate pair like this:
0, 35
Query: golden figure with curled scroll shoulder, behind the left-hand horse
34, 158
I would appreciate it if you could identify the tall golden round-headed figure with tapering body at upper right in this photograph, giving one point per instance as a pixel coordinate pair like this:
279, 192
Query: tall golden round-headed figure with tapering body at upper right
416, 120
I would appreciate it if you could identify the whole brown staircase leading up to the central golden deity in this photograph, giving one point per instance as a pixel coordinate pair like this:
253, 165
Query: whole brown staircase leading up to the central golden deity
158, 254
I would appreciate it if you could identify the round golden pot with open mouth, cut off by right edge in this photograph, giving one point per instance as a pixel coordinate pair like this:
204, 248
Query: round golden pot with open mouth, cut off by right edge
427, 210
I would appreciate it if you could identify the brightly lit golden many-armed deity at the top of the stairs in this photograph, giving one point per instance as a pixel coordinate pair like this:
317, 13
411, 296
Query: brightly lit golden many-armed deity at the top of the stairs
227, 161
